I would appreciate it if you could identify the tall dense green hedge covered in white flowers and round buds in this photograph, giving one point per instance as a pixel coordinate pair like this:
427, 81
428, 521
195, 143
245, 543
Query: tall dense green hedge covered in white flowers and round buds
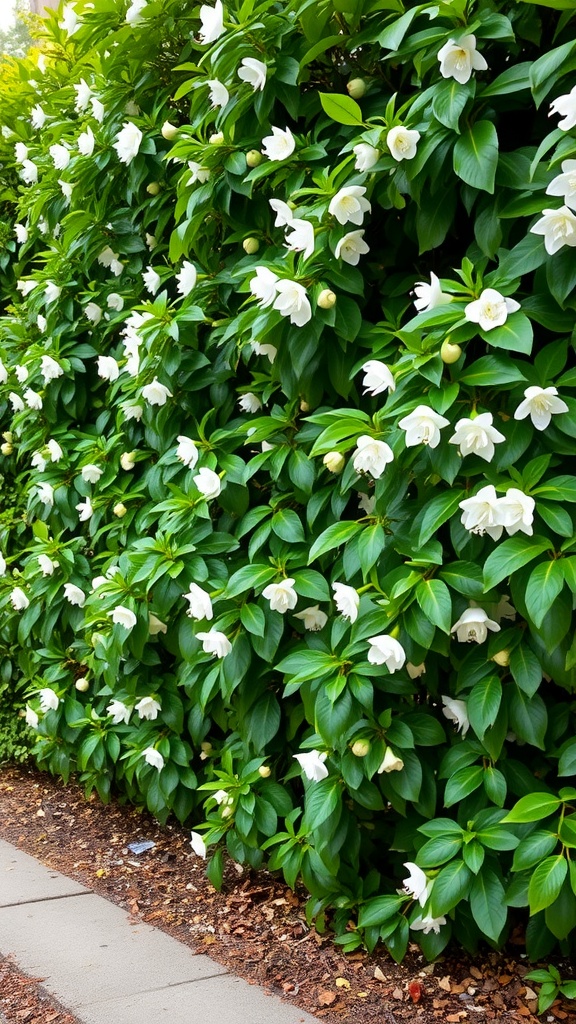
287, 389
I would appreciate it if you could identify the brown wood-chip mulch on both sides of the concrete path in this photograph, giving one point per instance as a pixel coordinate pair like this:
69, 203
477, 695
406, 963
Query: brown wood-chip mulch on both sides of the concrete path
256, 926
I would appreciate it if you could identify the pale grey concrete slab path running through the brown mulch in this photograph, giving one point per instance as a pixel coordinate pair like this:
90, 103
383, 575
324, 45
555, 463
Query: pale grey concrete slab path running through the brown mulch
103, 968
